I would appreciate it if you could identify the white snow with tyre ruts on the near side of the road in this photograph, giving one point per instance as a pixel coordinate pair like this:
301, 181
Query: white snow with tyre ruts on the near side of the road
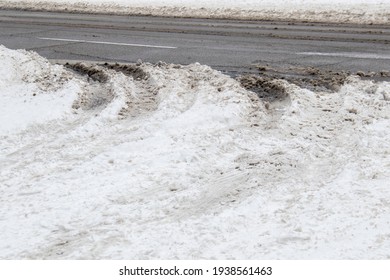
183, 163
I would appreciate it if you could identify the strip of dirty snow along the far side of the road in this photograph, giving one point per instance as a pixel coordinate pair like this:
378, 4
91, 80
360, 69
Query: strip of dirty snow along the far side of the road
346, 11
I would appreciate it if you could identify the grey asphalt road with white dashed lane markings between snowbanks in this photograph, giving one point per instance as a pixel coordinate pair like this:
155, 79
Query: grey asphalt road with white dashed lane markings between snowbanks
228, 45
